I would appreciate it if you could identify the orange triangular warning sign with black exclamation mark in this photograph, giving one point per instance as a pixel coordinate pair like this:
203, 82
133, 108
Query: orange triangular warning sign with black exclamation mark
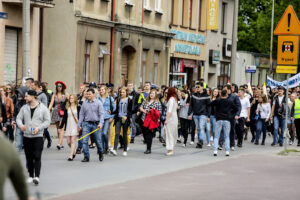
289, 23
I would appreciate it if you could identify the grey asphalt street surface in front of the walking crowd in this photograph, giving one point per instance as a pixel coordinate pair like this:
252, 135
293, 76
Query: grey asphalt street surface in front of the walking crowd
254, 171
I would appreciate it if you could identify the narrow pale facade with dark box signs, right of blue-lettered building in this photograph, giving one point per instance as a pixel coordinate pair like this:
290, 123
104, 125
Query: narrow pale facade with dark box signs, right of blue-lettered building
219, 42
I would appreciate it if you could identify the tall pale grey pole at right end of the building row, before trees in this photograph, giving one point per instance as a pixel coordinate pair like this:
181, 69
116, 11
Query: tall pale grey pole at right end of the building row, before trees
234, 42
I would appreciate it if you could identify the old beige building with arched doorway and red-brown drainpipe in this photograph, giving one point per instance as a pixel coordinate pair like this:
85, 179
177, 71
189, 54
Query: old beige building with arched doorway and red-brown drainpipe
117, 41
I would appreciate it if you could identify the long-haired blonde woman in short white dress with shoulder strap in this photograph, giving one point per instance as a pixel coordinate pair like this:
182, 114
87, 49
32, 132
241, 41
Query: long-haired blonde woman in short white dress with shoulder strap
70, 119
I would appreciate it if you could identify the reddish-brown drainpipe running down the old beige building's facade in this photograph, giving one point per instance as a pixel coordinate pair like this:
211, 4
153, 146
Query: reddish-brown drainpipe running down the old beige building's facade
112, 43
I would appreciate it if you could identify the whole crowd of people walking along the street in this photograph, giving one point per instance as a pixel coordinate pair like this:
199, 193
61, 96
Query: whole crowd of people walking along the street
99, 116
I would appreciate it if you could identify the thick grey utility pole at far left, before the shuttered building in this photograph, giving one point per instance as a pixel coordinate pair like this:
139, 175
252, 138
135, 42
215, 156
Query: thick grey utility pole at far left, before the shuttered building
26, 39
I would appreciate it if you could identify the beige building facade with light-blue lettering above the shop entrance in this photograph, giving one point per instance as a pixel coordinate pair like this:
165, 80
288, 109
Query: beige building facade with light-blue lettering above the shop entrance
188, 51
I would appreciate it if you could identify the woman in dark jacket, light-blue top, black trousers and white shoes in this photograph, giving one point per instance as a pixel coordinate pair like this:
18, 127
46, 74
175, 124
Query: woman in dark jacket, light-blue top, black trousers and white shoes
122, 119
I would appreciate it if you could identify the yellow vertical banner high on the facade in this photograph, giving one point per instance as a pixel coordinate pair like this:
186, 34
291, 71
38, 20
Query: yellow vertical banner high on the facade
212, 14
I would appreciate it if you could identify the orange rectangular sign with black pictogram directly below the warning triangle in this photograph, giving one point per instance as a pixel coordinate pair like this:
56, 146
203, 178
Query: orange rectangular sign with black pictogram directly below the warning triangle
287, 52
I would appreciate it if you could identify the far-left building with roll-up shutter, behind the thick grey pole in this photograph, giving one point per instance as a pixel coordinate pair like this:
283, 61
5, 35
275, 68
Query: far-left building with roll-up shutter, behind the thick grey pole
11, 40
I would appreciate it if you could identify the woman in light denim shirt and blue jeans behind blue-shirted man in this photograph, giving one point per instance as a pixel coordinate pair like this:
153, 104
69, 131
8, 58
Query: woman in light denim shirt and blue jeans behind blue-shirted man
109, 107
